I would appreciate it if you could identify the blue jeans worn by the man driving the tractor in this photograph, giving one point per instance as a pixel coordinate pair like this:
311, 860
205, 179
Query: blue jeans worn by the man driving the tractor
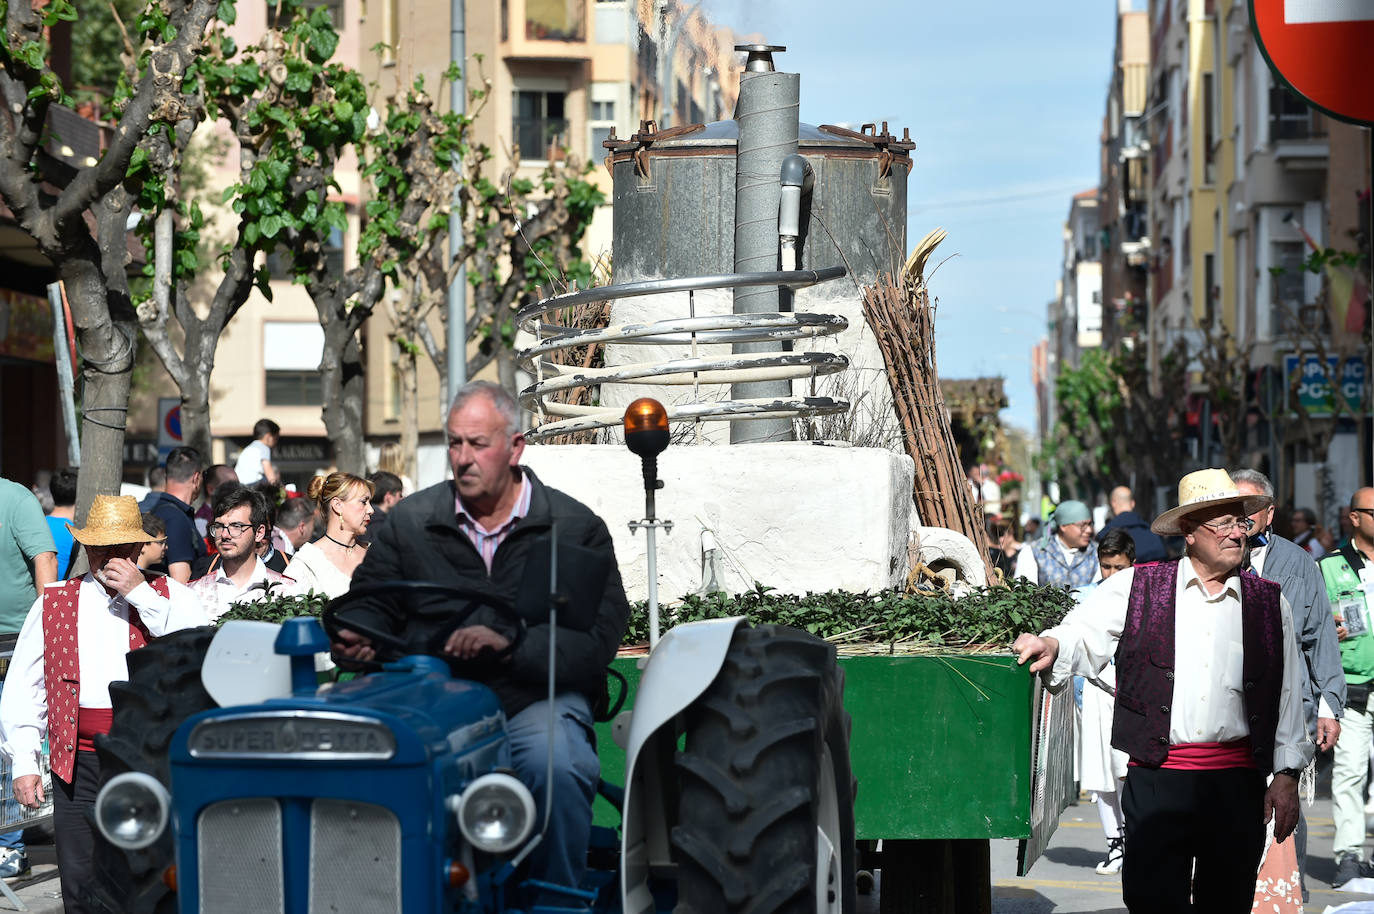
561, 858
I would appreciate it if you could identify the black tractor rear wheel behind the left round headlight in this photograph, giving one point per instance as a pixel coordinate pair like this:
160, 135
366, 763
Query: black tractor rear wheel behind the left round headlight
164, 689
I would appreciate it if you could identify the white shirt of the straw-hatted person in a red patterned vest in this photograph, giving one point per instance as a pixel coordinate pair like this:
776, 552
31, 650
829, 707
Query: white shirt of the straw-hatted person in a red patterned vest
102, 644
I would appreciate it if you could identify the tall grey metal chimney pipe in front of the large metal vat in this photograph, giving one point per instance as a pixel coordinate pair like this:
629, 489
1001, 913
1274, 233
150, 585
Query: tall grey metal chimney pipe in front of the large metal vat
769, 124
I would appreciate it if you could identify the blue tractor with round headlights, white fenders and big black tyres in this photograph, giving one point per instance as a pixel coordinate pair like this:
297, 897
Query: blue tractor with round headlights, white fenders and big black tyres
236, 784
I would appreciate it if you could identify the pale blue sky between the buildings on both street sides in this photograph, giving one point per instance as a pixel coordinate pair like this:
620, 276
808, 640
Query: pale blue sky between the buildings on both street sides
1005, 102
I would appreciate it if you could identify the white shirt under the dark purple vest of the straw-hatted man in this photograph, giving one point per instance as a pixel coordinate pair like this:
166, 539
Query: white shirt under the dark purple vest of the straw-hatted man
1208, 662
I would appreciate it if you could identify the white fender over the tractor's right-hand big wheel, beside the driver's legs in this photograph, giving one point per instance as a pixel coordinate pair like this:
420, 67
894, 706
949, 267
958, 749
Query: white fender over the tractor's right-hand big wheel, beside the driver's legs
681, 669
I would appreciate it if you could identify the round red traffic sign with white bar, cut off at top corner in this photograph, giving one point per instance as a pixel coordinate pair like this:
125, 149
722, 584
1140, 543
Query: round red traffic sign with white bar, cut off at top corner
1321, 49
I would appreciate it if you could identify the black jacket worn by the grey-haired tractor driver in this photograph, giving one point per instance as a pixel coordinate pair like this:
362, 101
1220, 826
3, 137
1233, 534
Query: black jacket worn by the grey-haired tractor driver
423, 541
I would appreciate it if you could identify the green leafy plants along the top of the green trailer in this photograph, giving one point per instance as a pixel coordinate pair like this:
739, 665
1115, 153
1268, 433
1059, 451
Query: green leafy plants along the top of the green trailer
990, 618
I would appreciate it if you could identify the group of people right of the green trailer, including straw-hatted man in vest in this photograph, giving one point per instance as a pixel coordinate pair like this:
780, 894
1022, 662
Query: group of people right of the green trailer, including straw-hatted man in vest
1221, 658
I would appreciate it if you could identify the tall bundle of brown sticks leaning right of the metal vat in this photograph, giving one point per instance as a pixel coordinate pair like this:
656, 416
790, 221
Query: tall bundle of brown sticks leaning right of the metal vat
902, 318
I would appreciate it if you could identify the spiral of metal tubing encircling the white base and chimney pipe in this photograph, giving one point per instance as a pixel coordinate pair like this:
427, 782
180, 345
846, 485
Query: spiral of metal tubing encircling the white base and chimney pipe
695, 331
